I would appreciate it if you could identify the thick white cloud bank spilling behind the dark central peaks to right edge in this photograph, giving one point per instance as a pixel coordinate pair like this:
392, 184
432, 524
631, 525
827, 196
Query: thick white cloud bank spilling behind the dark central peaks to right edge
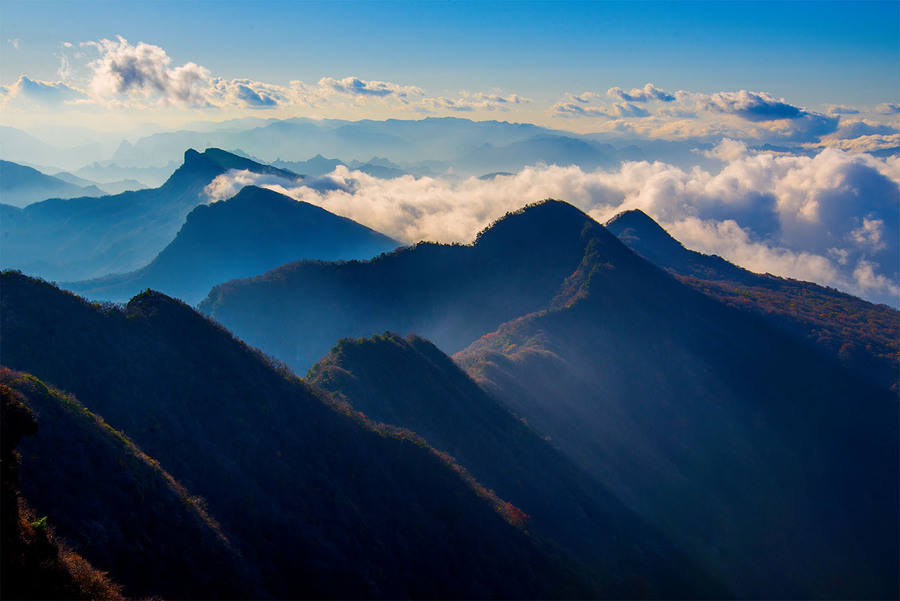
833, 219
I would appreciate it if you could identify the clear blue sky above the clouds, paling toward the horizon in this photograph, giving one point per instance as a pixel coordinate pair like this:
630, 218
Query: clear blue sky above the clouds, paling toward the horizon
813, 55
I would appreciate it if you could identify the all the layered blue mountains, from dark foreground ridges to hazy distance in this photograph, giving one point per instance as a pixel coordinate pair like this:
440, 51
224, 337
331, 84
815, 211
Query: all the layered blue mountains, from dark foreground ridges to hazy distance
561, 409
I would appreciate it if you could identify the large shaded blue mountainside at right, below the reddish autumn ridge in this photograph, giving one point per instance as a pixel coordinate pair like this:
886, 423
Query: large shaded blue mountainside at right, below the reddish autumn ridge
761, 457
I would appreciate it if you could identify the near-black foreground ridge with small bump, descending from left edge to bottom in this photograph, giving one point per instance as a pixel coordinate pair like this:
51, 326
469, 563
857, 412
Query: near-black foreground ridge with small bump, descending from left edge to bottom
319, 503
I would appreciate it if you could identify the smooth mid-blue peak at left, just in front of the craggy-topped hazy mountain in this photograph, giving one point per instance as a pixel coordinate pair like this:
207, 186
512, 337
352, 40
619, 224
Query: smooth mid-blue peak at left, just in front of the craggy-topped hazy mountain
253, 232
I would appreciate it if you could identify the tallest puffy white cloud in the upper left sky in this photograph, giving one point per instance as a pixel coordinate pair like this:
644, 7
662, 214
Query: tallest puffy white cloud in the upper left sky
145, 70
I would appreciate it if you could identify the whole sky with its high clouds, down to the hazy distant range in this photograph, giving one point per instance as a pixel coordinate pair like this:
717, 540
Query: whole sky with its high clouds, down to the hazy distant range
516, 61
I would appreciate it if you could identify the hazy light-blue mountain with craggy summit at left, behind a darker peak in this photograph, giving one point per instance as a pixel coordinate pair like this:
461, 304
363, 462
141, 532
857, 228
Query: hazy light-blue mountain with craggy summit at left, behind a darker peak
81, 238
